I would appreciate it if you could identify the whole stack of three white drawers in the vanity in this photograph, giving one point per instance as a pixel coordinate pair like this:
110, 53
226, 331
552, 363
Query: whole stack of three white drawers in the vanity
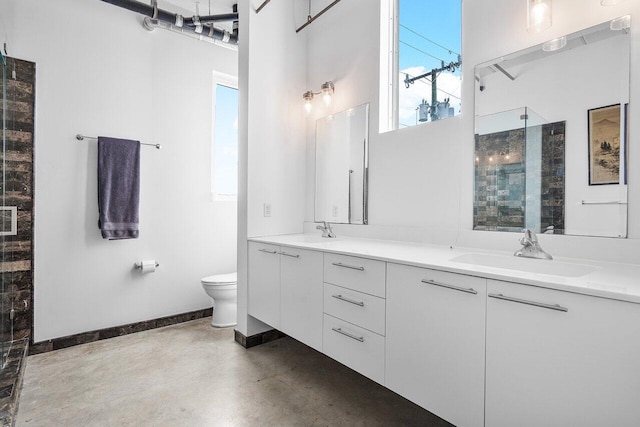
354, 319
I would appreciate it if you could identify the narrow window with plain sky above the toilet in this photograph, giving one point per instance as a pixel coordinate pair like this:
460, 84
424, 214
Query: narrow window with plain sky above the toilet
225, 138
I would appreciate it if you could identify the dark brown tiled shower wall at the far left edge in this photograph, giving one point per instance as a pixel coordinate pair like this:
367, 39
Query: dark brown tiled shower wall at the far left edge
16, 211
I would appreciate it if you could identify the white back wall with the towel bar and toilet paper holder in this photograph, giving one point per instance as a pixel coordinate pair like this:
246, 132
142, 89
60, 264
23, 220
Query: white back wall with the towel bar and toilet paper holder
100, 73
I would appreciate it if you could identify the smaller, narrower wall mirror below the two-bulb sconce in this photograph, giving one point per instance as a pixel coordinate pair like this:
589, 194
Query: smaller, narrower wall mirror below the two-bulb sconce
342, 166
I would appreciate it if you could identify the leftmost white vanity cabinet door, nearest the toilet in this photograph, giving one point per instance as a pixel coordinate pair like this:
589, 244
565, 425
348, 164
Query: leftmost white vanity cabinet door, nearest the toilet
264, 283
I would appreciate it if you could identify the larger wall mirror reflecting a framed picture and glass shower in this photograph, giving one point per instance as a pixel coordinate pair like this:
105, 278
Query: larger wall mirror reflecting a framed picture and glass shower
551, 136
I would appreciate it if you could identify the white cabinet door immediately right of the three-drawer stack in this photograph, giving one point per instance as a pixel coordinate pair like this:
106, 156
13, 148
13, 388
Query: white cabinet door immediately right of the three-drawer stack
435, 341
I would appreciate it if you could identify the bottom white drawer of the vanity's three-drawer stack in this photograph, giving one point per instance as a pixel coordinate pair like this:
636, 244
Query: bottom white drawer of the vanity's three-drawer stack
355, 347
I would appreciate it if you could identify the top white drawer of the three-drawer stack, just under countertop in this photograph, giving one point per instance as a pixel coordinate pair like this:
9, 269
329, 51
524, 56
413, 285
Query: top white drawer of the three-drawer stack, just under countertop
360, 274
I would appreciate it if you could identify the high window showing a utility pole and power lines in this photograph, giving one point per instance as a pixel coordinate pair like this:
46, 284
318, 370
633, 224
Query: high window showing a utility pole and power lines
422, 62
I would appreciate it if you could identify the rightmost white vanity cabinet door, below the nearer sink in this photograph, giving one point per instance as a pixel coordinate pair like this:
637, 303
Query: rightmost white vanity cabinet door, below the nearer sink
551, 367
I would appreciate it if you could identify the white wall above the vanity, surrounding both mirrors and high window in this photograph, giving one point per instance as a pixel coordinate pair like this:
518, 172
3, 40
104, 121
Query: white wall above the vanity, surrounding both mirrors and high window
421, 178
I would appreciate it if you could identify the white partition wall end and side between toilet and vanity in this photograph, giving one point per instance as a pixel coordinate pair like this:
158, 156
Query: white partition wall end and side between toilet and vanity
271, 132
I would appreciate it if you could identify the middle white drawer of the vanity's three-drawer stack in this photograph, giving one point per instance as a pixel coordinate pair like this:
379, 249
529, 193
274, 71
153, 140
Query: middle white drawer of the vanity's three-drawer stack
355, 307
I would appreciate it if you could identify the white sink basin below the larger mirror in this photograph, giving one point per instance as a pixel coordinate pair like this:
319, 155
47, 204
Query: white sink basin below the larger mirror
529, 265
